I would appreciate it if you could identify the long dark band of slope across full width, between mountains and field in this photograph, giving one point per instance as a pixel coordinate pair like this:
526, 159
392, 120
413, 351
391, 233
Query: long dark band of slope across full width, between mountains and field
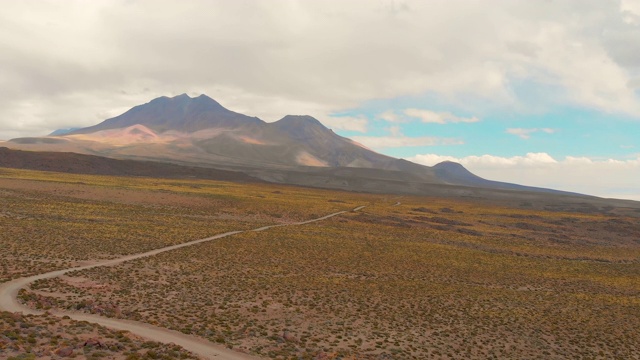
349, 179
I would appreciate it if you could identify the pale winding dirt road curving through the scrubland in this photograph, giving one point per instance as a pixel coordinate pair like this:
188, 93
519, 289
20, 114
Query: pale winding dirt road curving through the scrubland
200, 347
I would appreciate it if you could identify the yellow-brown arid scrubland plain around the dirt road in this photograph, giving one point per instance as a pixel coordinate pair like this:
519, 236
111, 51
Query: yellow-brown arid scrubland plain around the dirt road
403, 278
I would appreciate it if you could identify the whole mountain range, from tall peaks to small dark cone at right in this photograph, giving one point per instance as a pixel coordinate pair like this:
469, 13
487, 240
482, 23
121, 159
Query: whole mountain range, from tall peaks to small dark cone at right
295, 149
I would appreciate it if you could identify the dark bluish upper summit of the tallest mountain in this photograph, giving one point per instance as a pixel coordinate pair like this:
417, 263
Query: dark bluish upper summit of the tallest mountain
180, 113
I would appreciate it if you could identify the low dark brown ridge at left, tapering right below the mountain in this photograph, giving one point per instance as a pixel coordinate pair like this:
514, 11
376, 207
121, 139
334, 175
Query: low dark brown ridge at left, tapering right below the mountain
96, 165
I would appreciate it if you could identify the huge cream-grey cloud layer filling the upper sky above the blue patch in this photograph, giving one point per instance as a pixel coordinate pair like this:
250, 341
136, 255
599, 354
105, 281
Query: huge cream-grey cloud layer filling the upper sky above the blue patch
313, 54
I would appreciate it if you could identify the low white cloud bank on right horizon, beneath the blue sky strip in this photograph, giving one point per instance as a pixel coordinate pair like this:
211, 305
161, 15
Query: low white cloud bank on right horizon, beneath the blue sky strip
601, 177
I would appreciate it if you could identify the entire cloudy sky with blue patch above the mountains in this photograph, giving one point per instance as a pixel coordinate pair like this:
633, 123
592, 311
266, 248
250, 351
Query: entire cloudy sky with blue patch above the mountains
542, 93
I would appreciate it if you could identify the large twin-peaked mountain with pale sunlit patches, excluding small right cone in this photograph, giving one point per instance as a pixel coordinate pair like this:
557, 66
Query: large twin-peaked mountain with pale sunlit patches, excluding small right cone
200, 131
